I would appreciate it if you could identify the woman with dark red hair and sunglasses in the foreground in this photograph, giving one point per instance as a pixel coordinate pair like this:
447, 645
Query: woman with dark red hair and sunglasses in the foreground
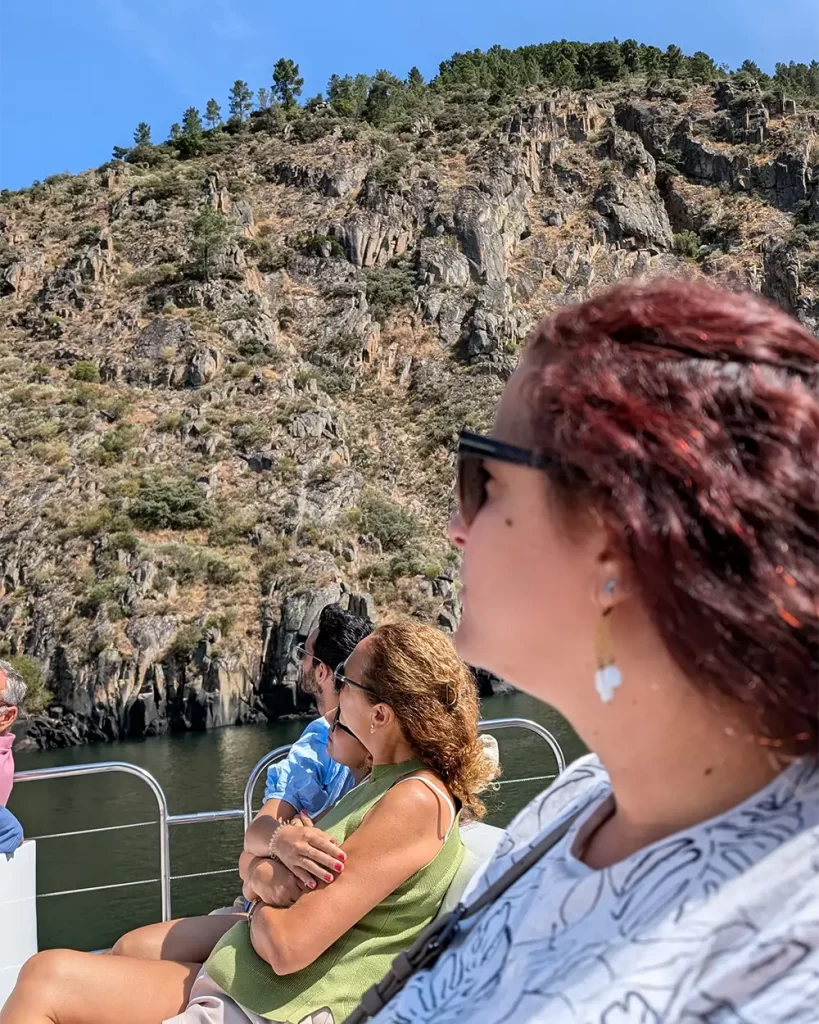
640, 539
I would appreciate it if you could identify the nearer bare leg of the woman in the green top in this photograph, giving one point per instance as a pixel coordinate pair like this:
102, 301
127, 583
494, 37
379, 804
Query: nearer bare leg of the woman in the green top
62, 987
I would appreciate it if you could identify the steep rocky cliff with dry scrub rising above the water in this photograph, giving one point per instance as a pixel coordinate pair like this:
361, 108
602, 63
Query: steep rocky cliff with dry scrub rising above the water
232, 383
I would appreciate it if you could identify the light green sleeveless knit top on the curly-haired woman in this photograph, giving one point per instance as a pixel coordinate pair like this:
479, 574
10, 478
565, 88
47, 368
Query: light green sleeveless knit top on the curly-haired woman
338, 978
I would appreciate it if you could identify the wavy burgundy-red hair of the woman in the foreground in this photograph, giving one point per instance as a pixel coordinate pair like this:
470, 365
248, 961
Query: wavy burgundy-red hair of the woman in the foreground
689, 417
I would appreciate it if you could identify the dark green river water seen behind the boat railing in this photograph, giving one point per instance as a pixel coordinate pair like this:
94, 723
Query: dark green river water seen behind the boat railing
199, 773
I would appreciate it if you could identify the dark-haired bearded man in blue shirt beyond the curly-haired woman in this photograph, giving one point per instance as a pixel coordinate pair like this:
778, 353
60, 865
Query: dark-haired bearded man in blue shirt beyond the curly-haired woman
309, 781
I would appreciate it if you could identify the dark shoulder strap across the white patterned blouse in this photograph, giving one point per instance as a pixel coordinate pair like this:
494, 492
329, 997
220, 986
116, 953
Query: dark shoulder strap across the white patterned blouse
438, 936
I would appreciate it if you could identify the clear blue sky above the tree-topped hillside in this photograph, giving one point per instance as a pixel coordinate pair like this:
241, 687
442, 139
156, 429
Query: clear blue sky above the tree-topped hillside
76, 76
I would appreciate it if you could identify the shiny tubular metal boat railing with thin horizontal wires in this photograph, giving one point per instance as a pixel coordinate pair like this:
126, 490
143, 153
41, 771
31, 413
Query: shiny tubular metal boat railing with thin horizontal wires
165, 820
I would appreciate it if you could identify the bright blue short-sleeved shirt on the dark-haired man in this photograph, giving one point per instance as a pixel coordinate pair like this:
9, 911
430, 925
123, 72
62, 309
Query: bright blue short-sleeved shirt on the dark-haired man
309, 779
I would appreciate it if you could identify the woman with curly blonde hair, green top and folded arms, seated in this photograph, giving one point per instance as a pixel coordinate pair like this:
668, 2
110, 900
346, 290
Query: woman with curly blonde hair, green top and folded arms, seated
358, 890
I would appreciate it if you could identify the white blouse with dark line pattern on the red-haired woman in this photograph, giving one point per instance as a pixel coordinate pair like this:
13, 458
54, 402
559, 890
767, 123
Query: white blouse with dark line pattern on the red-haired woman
718, 924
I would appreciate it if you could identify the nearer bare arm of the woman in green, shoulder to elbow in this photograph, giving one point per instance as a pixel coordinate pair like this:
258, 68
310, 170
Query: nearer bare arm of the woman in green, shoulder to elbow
402, 834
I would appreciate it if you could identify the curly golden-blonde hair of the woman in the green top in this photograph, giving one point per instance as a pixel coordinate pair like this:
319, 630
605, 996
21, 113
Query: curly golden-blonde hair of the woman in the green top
415, 669
